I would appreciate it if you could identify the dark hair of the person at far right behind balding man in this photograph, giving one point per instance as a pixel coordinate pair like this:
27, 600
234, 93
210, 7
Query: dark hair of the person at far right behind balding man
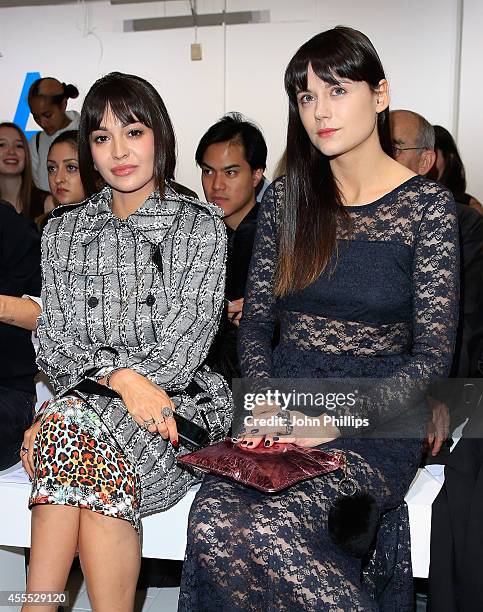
453, 176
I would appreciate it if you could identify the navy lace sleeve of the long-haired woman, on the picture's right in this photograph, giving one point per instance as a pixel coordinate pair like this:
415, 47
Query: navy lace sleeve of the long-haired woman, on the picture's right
435, 276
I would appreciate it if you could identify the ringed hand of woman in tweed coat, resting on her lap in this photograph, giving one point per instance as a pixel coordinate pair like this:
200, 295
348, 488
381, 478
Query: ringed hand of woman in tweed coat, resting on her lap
145, 401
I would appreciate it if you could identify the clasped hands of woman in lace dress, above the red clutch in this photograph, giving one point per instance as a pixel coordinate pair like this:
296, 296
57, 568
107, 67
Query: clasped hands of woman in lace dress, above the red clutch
290, 427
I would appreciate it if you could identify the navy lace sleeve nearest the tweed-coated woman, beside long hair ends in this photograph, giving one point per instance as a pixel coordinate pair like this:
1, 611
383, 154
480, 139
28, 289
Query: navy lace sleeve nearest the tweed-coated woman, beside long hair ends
258, 320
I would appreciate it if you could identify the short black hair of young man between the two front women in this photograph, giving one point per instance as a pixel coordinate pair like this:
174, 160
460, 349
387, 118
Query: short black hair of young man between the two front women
233, 127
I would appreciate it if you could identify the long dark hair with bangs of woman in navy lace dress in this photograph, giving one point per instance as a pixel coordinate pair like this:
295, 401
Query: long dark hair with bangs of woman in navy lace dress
313, 202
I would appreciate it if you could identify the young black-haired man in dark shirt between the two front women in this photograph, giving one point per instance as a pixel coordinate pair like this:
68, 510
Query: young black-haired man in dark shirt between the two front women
232, 156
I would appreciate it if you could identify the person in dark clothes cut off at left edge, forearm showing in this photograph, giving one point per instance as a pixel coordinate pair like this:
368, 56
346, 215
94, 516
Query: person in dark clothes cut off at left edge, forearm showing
19, 275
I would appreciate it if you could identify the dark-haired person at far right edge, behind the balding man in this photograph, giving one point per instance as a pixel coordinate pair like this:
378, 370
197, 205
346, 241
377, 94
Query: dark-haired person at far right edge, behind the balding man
449, 169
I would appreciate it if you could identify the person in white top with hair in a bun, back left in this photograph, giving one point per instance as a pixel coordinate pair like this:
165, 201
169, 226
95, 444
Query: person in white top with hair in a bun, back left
47, 99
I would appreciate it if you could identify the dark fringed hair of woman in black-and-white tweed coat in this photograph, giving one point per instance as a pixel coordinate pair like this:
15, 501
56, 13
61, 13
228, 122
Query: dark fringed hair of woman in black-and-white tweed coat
131, 99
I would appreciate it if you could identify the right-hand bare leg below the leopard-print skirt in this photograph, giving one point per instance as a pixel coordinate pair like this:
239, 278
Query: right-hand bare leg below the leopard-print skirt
110, 557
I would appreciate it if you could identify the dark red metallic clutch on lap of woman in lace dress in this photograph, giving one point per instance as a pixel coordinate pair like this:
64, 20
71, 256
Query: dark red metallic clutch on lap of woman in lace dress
267, 469
